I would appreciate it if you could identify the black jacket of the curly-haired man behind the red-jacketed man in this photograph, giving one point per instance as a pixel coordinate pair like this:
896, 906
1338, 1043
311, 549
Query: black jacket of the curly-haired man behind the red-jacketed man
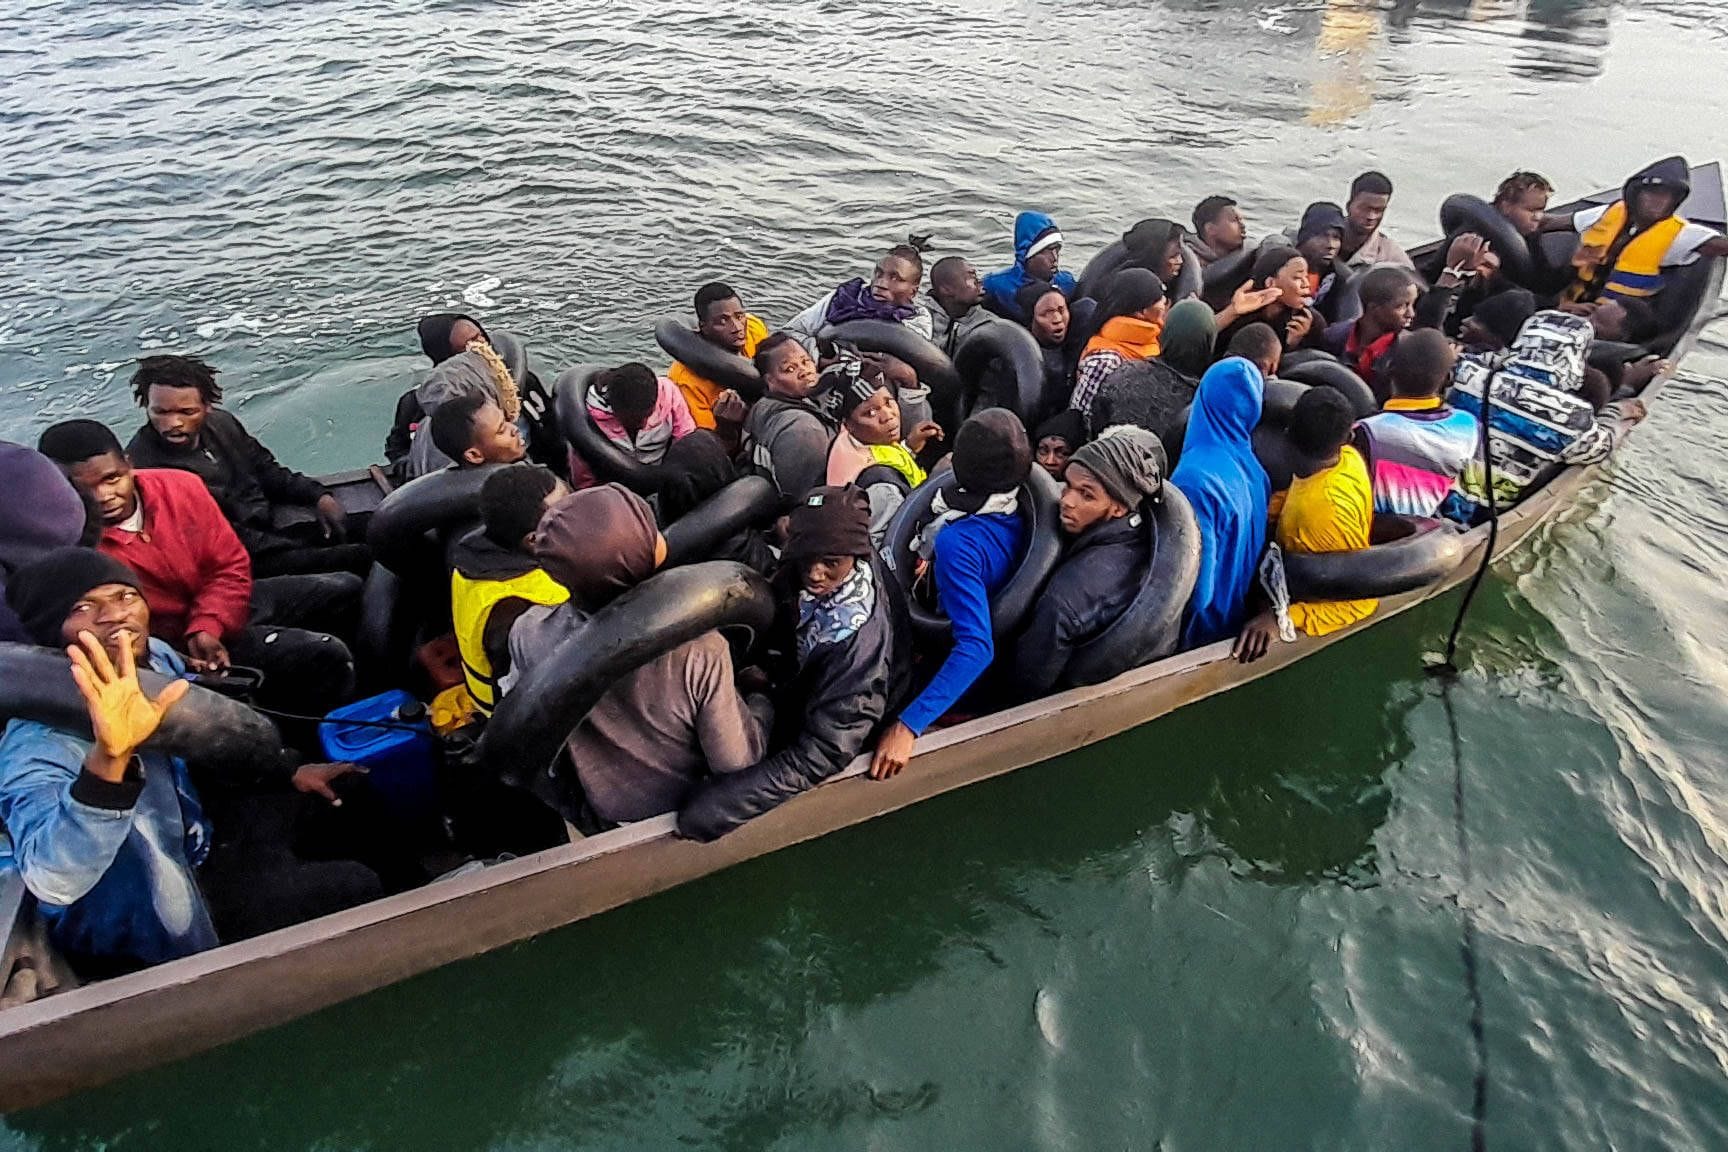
243, 476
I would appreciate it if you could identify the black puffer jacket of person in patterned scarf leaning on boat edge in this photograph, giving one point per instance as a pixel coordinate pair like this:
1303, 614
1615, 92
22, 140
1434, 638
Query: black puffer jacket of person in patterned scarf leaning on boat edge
839, 699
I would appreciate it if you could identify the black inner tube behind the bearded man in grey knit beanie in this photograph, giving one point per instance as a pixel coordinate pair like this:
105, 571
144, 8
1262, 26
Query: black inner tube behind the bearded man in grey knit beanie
1152, 626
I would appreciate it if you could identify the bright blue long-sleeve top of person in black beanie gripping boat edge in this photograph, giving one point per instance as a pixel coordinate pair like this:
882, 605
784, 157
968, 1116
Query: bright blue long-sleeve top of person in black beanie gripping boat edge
974, 559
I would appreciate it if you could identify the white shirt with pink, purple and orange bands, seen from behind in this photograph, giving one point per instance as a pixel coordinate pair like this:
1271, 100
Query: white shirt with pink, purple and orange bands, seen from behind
1416, 450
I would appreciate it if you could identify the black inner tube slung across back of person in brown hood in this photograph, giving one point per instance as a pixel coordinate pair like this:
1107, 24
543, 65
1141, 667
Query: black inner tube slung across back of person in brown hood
666, 611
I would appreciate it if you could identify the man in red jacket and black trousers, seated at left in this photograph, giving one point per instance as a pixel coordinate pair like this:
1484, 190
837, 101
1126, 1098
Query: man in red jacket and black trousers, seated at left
198, 579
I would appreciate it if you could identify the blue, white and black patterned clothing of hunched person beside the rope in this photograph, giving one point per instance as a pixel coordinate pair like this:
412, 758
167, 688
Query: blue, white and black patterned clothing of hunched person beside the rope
1547, 412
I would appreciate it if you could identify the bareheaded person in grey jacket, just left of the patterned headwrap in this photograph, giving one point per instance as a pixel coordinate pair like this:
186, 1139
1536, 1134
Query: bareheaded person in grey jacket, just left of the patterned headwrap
787, 434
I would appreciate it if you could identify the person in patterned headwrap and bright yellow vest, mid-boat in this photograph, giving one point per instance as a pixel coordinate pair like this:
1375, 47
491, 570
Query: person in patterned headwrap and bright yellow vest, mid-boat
868, 450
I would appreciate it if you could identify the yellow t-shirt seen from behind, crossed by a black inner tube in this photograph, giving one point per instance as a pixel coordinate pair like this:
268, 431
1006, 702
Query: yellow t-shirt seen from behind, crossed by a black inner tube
1330, 512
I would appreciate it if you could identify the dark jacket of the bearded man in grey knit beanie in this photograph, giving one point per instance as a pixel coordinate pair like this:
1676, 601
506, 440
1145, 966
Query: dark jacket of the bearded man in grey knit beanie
1095, 585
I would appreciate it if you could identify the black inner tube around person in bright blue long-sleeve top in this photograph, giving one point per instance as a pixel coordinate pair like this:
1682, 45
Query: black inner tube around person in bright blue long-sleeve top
1039, 498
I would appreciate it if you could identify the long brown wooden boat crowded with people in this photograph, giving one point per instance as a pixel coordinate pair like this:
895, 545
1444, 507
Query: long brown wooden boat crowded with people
89, 1035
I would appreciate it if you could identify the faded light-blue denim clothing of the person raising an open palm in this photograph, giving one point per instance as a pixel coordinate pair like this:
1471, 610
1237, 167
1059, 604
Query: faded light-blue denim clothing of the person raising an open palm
111, 866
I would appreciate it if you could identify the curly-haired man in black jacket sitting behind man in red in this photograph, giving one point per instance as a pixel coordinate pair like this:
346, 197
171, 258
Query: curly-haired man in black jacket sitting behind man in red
187, 429
